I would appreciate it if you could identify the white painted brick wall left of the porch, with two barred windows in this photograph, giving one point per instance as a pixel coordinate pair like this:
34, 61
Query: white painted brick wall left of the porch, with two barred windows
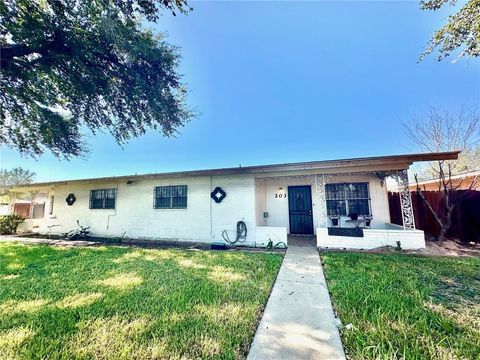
135, 216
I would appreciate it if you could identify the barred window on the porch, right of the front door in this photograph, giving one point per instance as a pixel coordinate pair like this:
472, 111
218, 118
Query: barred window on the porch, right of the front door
347, 198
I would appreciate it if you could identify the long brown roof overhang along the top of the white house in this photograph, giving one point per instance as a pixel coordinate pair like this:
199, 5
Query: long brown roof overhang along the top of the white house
366, 164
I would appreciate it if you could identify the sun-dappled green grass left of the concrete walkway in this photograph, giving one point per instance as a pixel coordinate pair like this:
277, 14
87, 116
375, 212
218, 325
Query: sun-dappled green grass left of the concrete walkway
130, 303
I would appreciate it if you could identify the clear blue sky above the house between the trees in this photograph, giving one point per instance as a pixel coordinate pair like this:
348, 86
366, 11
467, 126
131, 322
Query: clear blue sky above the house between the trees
287, 81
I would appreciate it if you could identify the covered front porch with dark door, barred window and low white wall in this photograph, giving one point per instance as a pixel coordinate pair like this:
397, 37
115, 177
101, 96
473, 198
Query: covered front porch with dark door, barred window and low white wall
338, 210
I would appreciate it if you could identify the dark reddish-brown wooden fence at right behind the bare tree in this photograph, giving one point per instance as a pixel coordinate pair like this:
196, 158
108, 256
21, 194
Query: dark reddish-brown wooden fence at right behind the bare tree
465, 218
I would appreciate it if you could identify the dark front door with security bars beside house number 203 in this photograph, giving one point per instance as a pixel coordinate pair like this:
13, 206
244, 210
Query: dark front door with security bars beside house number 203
300, 209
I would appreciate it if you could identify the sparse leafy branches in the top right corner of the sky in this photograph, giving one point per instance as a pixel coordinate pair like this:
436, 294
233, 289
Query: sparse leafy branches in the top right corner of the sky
462, 30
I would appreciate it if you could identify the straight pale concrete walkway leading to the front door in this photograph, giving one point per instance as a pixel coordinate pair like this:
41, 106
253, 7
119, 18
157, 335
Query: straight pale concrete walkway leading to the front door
298, 322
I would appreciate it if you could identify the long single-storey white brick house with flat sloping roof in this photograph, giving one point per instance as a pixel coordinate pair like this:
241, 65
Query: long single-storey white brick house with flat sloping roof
198, 206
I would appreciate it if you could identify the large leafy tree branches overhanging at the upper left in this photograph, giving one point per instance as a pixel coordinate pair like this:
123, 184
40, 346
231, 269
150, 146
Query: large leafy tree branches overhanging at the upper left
67, 66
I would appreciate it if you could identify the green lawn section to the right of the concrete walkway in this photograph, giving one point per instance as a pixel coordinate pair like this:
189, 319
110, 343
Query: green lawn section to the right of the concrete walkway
406, 307
